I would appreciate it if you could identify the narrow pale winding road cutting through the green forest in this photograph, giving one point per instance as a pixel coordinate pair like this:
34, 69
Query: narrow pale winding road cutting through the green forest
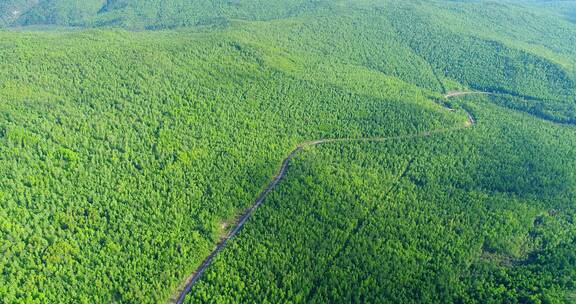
178, 298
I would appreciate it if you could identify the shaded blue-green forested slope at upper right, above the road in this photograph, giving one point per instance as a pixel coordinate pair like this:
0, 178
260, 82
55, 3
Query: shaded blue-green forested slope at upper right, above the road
480, 63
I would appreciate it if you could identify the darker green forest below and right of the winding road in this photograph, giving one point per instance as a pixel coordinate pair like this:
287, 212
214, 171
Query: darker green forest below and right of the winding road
420, 220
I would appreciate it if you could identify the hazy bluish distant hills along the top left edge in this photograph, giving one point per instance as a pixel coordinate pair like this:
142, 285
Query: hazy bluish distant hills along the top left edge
151, 14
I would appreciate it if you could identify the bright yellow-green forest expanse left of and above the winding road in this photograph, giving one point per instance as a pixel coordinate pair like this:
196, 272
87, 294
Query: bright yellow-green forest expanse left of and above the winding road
122, 152
